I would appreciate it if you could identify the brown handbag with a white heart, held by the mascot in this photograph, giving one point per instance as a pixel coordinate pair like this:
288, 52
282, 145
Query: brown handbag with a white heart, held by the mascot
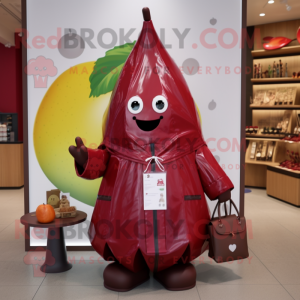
228, 236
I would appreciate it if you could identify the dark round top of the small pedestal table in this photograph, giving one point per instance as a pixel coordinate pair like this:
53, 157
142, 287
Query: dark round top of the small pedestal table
31, 220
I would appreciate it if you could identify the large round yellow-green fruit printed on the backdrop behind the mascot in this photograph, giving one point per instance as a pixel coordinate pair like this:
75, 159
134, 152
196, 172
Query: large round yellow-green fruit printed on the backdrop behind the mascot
66, 112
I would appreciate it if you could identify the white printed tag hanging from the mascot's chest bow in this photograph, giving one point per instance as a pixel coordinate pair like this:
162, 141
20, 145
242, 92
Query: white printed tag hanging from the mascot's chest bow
155, 191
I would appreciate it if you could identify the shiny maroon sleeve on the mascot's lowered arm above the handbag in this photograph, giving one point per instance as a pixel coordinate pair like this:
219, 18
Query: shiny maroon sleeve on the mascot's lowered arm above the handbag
213, 178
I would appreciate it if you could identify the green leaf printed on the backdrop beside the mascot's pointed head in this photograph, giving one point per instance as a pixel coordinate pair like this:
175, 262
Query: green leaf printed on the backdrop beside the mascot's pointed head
108, 68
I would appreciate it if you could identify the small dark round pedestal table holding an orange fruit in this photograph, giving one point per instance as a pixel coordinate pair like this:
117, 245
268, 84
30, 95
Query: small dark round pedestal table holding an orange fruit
56, 254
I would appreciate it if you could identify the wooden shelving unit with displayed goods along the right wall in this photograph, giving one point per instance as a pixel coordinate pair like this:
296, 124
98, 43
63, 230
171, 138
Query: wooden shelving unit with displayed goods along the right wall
281, 183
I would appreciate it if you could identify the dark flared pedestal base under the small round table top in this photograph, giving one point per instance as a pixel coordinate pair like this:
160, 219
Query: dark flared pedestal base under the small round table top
56, 254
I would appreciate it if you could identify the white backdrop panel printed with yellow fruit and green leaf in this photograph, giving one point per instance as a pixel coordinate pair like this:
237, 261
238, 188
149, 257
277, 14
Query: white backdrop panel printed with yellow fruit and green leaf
66, 38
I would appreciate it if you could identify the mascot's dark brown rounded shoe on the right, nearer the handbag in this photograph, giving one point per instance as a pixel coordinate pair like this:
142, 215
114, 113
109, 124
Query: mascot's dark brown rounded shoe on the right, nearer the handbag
178, 277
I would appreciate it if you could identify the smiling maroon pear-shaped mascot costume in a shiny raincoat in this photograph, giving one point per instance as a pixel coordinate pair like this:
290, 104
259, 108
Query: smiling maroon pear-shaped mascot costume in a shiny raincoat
152, 126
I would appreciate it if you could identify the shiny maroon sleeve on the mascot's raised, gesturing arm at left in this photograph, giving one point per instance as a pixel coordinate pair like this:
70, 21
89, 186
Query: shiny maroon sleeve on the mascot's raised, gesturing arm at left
96, 164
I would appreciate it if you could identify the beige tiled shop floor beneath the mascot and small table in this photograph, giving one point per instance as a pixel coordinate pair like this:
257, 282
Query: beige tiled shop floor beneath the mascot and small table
271, 272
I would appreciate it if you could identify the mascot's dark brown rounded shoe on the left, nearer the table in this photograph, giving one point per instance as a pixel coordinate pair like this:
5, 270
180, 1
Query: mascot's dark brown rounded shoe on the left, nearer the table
120, 279
